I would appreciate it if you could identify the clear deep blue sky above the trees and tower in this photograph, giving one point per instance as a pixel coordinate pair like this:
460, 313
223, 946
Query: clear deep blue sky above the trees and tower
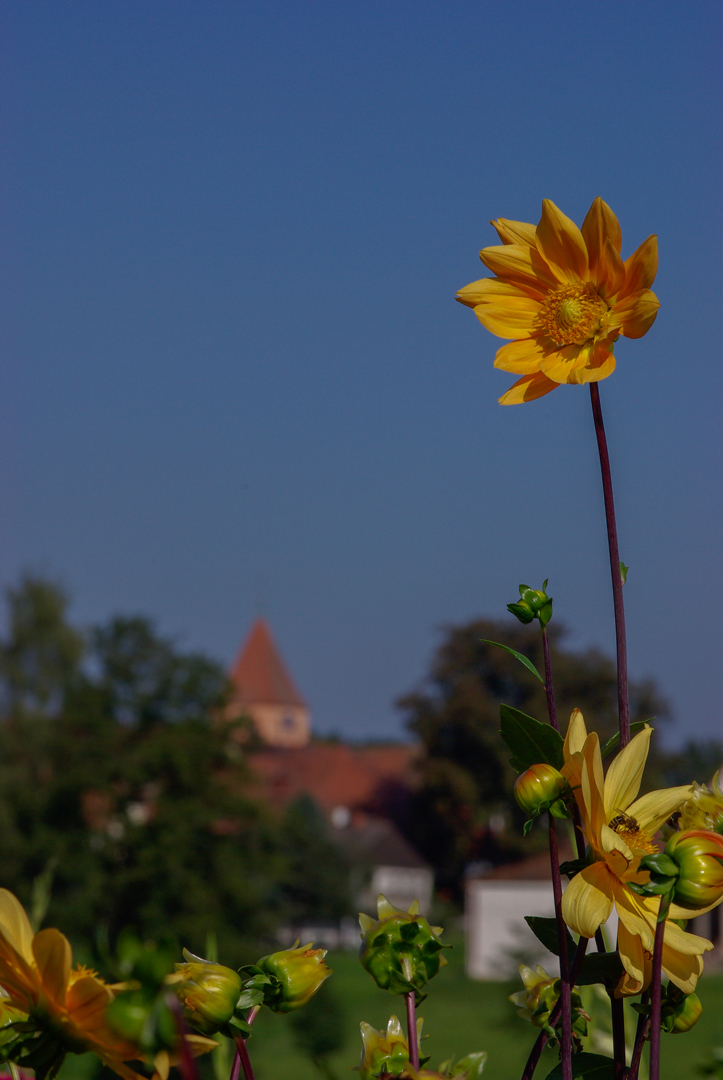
235, 373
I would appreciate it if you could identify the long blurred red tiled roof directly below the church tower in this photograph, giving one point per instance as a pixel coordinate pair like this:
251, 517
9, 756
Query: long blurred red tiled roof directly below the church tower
337, 775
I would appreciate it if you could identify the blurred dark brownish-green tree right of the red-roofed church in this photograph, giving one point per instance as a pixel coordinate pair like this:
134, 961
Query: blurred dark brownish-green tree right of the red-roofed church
464, 811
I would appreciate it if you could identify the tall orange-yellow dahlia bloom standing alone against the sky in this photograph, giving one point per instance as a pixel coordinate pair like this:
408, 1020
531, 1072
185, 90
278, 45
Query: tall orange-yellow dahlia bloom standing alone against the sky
565, 296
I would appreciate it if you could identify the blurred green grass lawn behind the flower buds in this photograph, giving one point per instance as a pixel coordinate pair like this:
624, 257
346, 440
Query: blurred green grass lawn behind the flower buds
461, 1016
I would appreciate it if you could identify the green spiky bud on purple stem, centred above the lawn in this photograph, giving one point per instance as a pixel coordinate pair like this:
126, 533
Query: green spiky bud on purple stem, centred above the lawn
400, 951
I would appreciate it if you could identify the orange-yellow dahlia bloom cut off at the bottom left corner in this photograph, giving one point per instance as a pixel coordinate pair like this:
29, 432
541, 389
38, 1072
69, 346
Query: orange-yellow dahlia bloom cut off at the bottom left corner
68, 1007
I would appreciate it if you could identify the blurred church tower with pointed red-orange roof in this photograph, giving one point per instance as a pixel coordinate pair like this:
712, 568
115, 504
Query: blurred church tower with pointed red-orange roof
263, 690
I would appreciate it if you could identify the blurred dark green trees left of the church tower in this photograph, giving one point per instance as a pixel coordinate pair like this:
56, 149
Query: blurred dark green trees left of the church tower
118, 779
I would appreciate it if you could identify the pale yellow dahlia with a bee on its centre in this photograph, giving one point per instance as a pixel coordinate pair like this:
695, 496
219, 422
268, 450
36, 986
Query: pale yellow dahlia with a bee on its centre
621, 829
